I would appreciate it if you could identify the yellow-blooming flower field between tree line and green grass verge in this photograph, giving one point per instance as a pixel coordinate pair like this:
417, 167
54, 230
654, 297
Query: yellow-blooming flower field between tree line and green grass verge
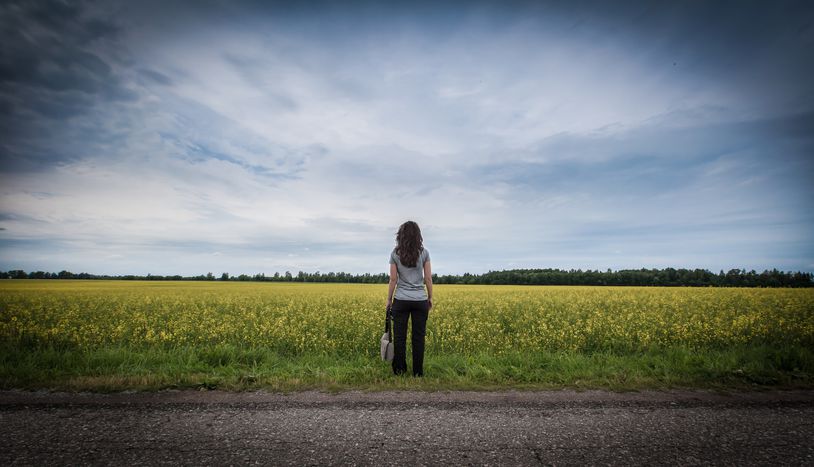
344, 321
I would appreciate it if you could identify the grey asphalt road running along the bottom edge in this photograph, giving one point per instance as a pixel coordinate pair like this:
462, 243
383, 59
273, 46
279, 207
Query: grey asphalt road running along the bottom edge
499, 428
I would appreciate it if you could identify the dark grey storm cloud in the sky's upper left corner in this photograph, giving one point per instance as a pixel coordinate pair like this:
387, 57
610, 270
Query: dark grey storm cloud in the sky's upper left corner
52, 71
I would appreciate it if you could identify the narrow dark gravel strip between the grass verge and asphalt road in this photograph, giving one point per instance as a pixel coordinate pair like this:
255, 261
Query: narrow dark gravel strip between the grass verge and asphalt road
565, 397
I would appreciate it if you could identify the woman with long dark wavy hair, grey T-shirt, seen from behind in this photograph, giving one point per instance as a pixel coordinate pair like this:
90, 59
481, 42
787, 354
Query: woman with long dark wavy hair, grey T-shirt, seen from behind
409, 272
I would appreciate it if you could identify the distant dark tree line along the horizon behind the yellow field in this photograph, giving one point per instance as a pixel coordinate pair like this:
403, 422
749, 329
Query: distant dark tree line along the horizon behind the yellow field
637, 277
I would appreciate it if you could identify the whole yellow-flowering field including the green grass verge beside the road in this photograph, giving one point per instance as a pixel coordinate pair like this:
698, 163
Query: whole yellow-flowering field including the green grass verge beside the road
123, 335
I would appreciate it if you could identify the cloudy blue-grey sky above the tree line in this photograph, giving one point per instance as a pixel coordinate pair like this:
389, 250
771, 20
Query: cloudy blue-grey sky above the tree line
247, 137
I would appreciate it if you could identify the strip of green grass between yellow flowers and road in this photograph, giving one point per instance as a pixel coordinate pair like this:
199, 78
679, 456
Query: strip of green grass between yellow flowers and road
235, 368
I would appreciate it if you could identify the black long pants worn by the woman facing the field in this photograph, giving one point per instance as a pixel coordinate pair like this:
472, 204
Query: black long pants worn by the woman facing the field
402, 311
